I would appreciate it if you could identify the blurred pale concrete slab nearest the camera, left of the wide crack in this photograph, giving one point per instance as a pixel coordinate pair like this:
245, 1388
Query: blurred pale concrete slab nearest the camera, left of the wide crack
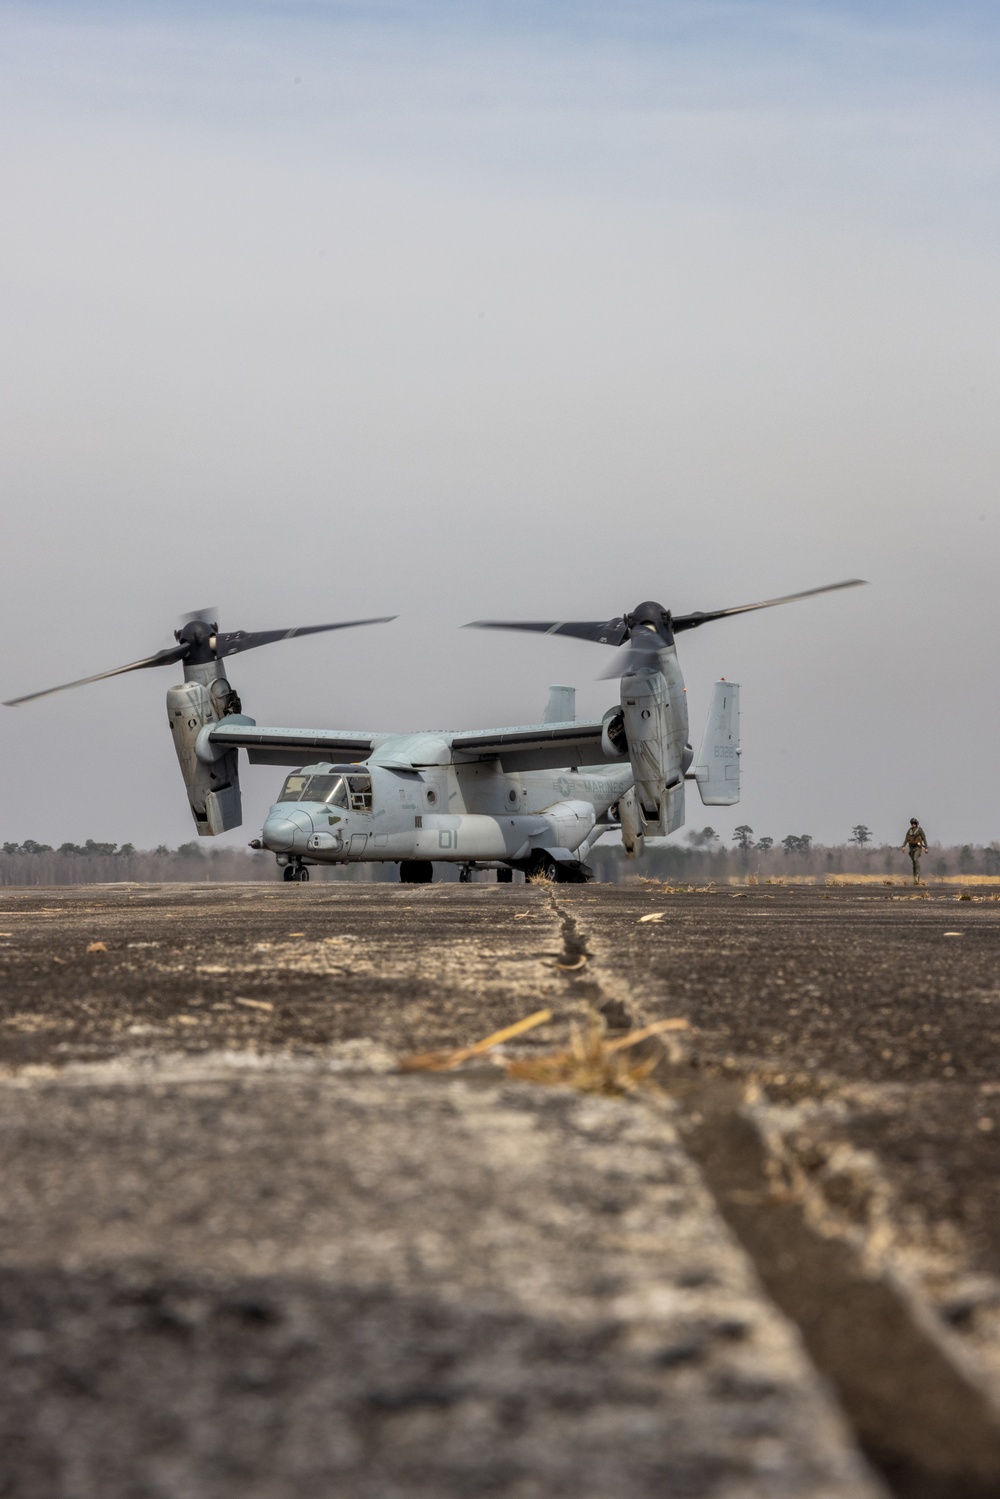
281, 1284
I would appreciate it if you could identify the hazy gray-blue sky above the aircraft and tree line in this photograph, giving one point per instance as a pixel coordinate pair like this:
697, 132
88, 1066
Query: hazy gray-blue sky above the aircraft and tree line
455, 311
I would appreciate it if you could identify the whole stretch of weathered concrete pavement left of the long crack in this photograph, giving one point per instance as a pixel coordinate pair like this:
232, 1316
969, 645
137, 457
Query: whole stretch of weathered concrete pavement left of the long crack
239, 1255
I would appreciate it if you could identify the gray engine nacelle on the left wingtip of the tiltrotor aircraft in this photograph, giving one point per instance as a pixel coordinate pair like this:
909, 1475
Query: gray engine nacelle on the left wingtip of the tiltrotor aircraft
212, 779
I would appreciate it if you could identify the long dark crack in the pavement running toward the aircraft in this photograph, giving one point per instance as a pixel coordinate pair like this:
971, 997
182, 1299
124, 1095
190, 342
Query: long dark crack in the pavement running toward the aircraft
917, 1405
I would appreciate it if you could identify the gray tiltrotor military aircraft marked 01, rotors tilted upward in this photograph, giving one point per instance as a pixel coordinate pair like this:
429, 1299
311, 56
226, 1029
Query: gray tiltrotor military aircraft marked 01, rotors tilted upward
533, 798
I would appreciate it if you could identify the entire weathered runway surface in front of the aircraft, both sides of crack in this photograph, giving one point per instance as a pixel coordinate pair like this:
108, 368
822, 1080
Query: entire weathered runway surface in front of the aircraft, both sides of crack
244, 1254
